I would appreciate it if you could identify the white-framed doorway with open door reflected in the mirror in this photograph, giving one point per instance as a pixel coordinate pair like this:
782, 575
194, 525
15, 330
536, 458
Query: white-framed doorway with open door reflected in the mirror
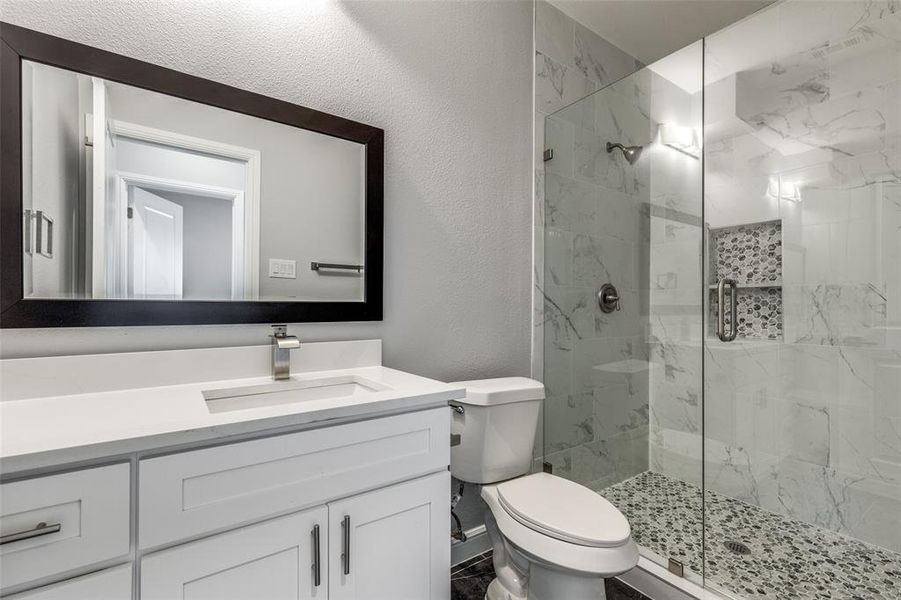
174, 216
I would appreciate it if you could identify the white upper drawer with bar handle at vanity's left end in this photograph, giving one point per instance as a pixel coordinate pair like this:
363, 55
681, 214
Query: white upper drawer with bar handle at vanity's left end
86, 512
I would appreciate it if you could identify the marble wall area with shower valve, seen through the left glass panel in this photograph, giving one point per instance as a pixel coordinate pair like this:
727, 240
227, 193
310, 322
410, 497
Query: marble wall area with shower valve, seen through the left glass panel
596, 414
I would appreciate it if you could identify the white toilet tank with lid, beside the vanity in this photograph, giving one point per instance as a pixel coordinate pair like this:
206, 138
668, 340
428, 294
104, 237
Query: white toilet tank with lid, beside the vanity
496, 421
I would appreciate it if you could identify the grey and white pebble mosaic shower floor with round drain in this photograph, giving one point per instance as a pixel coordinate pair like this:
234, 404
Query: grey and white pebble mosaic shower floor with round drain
788, 559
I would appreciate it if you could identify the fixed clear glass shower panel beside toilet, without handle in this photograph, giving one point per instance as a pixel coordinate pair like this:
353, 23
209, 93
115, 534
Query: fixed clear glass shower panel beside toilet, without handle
623, 297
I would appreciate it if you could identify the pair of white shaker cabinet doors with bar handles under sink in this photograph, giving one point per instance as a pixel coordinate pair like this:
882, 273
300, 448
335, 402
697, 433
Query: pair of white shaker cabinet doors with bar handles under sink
389, 544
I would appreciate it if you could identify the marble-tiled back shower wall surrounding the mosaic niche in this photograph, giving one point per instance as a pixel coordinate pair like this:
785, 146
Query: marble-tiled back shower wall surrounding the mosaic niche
809, 428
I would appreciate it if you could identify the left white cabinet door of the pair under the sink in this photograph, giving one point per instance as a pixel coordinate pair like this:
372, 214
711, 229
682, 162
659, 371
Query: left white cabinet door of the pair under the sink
273, 560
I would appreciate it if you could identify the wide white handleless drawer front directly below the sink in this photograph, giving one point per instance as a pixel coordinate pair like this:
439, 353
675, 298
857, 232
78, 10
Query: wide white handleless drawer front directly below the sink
192, 493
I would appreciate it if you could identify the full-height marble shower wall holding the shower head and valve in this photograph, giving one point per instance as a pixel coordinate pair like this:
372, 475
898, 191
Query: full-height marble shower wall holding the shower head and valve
581, 250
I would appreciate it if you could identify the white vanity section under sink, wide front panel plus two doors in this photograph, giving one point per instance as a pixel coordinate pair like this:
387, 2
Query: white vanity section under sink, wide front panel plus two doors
375, 492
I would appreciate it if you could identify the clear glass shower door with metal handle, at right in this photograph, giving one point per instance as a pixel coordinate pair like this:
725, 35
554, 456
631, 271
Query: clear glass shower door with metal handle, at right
802, 209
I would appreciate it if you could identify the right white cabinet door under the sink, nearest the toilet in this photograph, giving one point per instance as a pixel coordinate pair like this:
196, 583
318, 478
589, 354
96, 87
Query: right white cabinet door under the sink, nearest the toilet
393, 543
